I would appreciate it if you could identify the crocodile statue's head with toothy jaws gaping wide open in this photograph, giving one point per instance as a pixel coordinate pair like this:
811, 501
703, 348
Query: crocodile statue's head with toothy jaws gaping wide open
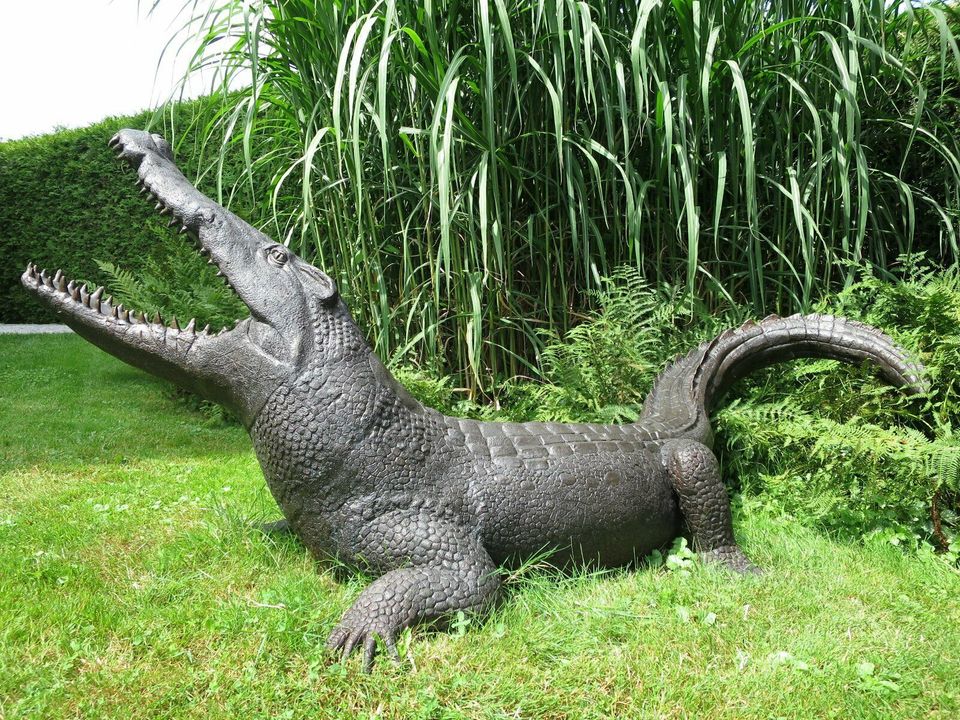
239, 368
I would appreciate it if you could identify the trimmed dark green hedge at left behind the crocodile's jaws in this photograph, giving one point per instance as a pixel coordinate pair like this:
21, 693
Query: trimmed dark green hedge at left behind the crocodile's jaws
66, 202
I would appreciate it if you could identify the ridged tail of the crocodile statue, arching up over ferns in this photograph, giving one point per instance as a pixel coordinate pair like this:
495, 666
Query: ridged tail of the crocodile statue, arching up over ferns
678, 405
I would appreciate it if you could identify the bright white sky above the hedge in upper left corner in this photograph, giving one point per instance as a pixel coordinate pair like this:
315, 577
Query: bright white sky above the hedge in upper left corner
69, 63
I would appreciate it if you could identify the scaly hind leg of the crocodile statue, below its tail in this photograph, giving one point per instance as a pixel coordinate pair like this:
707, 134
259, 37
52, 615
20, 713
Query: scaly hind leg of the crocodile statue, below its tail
695, 474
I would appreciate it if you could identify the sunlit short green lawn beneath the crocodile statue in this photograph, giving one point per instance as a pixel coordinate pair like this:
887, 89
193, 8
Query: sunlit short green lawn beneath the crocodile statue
133, 584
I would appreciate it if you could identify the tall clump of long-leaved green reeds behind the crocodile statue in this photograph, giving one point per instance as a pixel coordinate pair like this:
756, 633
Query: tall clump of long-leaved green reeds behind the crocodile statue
470, 170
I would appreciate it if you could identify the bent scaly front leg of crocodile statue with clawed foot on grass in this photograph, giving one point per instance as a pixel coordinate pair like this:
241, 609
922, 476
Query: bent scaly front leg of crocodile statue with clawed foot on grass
435, 568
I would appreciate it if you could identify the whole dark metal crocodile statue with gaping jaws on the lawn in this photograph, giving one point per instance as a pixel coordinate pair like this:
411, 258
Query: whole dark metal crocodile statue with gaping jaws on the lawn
433, 505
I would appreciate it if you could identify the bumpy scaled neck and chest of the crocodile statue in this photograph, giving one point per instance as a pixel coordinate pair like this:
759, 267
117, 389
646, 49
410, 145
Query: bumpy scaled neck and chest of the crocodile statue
320, 437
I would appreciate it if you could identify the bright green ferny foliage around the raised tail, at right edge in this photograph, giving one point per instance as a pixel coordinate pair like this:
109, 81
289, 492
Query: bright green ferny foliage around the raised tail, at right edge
832, 446
